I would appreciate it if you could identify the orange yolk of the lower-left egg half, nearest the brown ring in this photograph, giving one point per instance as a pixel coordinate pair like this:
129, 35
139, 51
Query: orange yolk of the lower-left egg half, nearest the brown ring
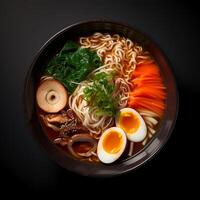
112, 142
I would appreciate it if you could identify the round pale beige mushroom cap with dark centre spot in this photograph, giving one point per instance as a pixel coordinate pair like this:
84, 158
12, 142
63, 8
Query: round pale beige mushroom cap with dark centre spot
51, 96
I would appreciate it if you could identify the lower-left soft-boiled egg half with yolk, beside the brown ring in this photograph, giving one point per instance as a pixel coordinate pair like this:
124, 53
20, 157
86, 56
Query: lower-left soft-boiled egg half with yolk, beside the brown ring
111, 145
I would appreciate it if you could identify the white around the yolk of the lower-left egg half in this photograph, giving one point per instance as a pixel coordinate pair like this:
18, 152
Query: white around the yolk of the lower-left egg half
106, 157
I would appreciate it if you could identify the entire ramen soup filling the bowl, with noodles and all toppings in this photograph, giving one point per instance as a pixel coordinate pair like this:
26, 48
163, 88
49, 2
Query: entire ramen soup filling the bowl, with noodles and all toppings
100, 84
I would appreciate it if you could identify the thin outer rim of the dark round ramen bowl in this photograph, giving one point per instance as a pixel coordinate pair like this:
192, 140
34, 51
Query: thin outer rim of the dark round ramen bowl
55, 36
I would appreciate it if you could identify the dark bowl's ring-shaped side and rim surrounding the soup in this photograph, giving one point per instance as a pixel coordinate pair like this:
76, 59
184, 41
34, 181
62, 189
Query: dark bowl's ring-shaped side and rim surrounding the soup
49, 49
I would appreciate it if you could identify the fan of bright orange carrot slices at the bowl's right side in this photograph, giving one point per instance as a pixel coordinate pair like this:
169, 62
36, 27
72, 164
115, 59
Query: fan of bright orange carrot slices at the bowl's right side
148, 90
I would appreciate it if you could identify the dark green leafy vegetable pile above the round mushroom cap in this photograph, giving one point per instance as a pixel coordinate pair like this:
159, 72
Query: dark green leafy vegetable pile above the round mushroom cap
72, 64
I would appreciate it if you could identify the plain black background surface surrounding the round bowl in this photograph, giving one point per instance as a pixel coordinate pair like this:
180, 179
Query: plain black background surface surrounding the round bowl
25, 25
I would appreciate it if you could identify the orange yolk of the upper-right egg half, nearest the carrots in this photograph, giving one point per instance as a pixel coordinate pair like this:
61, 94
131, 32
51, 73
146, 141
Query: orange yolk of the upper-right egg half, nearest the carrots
129, 122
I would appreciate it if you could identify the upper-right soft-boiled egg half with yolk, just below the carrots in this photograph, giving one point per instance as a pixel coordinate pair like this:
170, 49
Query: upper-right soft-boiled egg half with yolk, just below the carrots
132, 123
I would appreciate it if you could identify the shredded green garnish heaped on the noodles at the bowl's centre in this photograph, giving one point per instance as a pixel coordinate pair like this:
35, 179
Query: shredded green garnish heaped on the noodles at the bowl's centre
99, 94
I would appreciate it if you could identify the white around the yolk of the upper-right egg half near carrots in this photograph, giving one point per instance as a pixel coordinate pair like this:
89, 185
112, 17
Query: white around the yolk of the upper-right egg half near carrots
140, 133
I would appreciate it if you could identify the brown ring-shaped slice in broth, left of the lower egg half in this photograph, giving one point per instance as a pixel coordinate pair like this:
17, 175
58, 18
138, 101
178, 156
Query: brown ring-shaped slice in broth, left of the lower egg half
82, 138
